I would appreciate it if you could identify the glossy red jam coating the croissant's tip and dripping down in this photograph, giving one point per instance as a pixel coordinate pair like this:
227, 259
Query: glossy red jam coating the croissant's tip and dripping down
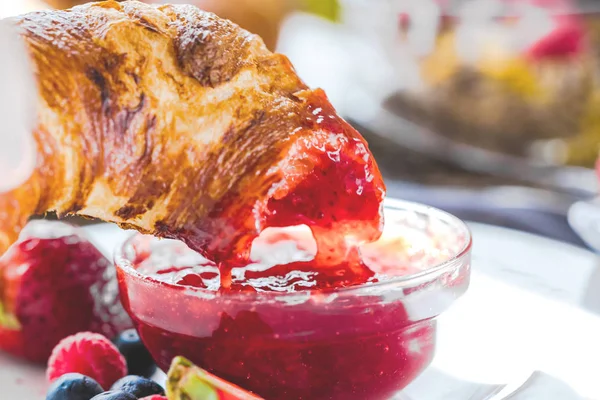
325, 178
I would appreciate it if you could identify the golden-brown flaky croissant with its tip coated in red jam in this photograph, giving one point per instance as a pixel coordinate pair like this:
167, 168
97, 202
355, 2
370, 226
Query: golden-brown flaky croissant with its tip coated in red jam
174, 122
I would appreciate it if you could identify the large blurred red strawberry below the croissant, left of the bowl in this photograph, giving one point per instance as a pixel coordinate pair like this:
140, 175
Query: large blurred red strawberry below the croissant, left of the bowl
54, 283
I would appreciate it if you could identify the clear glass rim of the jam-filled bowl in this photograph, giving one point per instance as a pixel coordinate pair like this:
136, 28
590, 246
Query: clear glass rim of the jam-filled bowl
456, 260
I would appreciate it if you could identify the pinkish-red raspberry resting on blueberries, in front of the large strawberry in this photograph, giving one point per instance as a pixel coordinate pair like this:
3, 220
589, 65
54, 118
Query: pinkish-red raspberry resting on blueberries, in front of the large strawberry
90, 354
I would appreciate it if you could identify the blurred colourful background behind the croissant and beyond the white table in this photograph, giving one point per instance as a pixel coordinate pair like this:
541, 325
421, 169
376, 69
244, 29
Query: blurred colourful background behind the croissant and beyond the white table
489, 109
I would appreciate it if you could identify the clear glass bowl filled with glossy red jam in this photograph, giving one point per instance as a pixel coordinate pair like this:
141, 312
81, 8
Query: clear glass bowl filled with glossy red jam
278, 332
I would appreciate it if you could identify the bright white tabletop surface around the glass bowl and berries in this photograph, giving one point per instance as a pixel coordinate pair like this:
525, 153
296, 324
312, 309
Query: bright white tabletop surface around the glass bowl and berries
533, 305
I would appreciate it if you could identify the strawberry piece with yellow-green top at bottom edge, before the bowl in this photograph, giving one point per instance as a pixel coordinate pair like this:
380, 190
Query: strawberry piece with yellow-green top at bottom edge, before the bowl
185, 381
